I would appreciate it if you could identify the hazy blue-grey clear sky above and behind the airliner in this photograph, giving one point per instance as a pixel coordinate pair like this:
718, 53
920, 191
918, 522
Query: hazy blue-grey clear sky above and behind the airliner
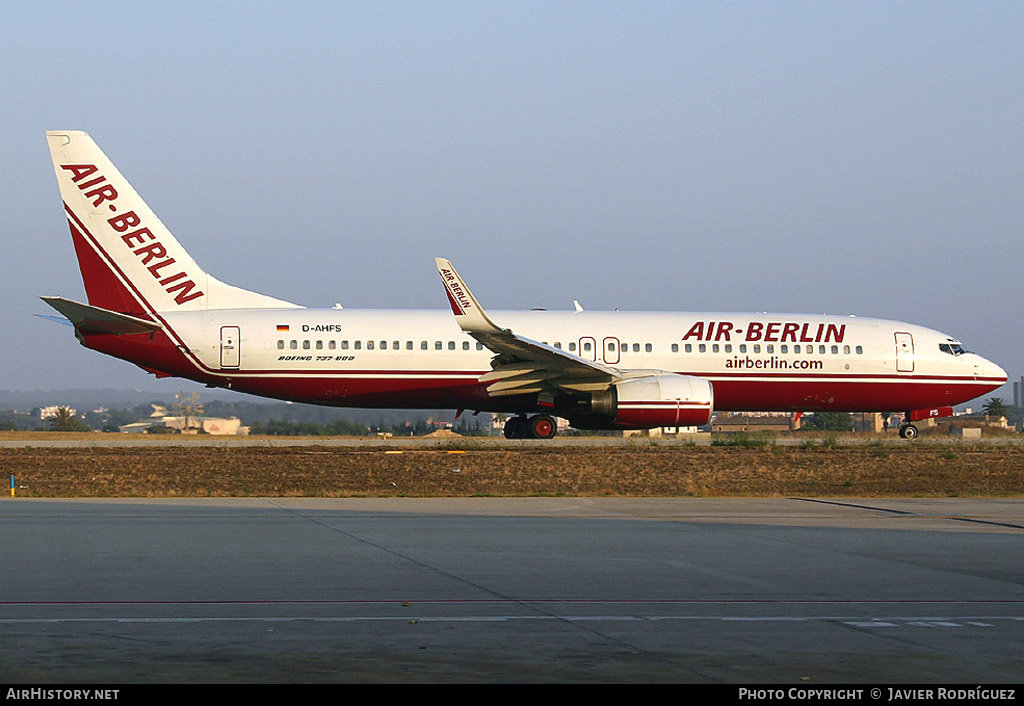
795, 157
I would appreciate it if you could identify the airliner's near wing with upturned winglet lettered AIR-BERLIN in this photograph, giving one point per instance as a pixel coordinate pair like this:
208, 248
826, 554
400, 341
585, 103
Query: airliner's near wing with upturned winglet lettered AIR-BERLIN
521, 366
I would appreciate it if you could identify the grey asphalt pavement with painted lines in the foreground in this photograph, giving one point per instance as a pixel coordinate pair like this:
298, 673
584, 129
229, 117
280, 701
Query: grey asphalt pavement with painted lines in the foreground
513, 591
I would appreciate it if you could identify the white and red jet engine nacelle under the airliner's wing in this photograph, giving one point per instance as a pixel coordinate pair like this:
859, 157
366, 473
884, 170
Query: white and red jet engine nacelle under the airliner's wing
644, 403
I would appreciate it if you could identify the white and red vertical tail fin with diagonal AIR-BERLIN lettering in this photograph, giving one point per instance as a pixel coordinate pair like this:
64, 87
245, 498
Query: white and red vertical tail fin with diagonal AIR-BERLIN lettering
131, 262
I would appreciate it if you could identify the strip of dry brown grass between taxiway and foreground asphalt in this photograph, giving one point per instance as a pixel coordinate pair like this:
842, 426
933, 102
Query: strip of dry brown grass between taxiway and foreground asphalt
884, 470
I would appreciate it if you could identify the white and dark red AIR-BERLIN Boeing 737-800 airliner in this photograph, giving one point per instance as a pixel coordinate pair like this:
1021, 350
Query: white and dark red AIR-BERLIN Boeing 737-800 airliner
152, 305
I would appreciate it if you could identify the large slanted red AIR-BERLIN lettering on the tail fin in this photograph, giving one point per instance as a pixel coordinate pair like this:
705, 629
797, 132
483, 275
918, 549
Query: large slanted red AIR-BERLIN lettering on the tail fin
153, 256
